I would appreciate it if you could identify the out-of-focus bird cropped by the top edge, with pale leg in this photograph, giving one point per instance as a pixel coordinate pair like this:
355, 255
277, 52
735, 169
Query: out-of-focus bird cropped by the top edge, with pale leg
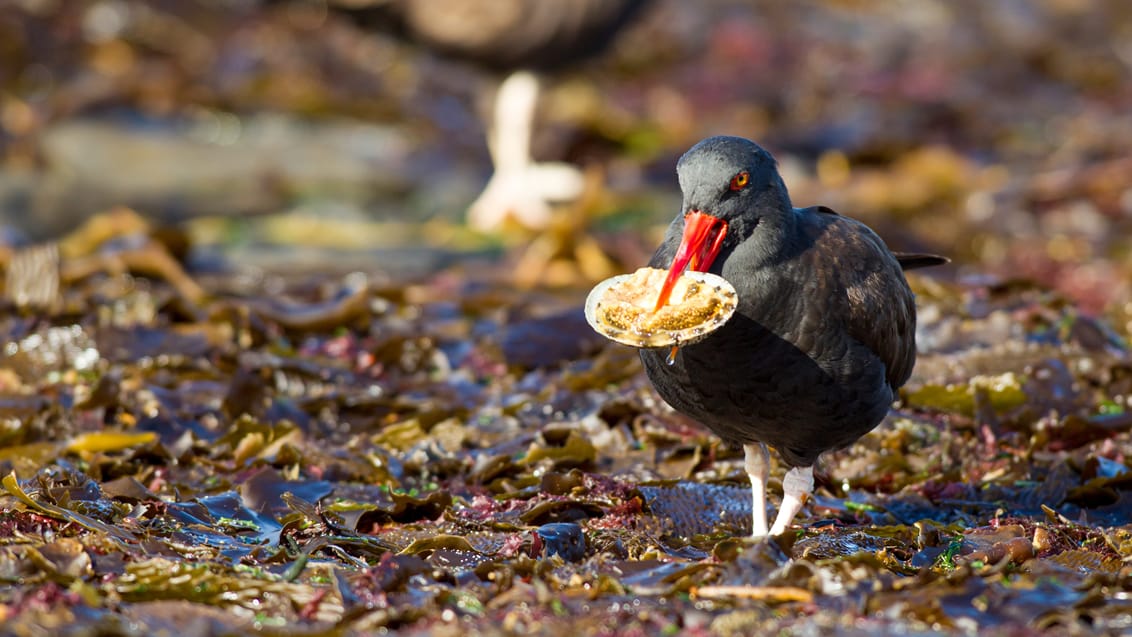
519, 38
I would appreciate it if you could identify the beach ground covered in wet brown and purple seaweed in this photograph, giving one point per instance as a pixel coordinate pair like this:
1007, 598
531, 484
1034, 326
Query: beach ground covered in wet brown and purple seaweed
260, 376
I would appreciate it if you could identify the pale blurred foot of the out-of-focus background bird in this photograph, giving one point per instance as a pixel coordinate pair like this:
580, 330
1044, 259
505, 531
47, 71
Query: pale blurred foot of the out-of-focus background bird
527, 195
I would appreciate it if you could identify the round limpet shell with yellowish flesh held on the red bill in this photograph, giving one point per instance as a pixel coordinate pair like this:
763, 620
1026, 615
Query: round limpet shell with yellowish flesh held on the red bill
709, 304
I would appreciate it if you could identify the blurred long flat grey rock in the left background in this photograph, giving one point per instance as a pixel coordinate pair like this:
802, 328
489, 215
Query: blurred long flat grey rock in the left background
219, 163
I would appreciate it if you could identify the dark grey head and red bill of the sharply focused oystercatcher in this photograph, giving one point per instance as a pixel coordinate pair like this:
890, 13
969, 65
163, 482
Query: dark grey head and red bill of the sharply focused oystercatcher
732, 187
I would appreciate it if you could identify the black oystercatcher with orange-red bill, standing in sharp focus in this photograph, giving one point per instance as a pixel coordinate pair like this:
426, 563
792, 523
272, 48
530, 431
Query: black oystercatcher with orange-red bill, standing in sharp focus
826, 329
